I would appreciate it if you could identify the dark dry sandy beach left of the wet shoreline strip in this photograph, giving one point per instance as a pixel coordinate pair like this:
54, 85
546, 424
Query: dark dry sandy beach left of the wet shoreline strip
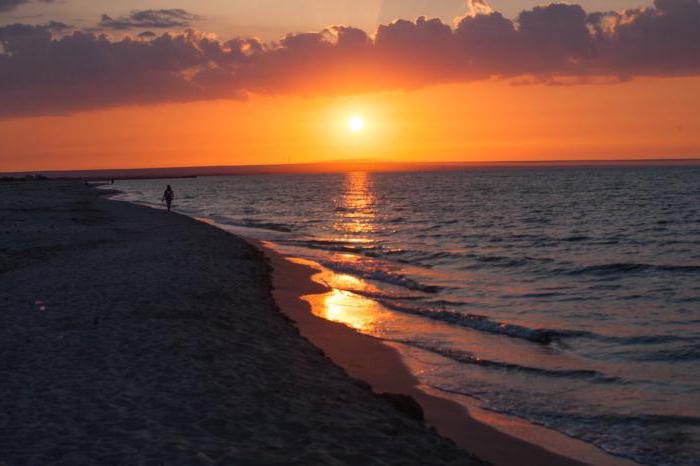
133, 336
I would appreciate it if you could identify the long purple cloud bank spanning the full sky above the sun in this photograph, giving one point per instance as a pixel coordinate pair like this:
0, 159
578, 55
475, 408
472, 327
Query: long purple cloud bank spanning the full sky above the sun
44, 70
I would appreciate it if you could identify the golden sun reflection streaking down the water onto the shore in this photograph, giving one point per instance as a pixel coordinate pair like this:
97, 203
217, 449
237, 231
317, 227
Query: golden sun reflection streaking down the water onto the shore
349, 299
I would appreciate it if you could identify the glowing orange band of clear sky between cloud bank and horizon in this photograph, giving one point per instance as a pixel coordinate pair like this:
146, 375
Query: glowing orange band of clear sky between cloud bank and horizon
489, 121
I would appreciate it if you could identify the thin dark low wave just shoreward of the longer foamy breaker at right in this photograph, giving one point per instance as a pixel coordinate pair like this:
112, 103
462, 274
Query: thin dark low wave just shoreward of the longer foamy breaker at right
465, 357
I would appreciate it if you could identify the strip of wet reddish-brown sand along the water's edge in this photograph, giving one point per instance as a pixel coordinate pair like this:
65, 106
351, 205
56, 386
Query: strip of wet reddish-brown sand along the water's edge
381, 365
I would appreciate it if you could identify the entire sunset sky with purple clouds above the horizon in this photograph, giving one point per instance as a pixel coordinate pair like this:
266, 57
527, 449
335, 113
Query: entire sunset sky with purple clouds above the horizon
89, 84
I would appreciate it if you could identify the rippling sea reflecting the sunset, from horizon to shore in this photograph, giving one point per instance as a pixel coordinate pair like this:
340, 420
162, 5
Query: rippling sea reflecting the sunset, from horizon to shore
566, 297
